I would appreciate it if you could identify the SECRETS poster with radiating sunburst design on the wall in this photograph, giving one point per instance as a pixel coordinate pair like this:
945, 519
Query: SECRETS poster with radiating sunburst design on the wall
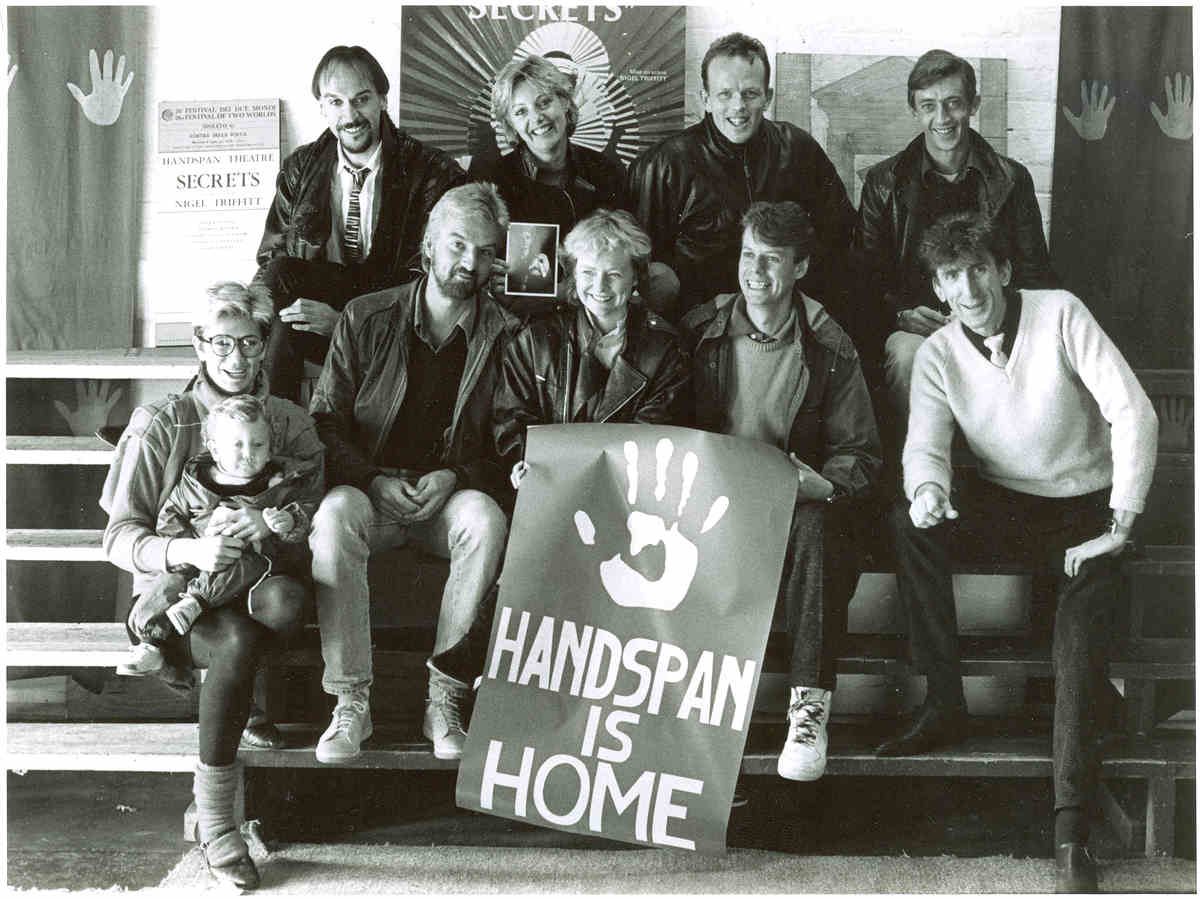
628, 65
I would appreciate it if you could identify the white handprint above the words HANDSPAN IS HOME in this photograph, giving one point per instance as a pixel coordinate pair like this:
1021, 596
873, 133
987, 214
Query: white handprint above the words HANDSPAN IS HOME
628, 588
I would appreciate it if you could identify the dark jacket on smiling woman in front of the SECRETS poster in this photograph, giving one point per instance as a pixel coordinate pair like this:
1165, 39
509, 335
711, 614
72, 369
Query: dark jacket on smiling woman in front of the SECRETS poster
593, 182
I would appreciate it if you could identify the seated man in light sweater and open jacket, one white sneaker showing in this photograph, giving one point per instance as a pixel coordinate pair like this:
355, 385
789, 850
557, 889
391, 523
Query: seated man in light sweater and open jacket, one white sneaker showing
770, 364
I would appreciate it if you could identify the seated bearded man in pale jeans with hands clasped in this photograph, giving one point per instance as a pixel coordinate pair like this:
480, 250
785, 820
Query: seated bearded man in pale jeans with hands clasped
405, 410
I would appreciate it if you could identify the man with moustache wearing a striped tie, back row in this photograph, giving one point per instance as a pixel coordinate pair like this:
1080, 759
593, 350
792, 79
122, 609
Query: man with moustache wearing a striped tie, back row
349, 213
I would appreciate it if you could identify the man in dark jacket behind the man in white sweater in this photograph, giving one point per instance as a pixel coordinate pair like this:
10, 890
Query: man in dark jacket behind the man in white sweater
947, 169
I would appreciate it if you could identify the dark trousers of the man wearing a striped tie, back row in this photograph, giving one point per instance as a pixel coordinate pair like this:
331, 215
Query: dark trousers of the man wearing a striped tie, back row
290, 279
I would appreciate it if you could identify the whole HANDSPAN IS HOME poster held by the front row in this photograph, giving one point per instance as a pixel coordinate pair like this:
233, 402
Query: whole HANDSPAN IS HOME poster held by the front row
634, 609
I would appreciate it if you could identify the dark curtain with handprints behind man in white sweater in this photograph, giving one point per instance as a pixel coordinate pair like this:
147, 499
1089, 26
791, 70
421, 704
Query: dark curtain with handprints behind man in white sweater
1121, 212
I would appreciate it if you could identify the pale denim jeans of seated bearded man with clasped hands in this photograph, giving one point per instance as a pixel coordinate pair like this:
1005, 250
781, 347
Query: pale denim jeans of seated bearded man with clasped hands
471, 531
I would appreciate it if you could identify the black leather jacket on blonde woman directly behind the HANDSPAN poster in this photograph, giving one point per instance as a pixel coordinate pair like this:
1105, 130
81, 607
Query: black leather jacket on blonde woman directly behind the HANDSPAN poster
550, 378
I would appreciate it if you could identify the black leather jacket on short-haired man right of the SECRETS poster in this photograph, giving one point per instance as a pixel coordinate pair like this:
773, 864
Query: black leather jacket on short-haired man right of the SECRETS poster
692, 190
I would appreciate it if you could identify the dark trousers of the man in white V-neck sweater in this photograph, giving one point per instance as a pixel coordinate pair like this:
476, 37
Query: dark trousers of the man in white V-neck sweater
999, 525
